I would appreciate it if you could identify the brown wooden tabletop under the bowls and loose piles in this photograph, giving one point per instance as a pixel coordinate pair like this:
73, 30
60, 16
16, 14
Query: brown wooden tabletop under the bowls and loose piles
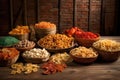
74, 71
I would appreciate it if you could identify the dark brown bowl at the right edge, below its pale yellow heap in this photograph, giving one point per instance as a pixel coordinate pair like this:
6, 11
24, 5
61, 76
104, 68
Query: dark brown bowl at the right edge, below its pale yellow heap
107, 56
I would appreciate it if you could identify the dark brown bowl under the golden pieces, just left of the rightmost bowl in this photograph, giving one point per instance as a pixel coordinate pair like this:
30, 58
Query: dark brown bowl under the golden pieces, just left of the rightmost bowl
84, 60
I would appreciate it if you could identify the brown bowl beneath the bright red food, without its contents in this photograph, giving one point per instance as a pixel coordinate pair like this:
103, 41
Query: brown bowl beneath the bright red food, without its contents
86, 42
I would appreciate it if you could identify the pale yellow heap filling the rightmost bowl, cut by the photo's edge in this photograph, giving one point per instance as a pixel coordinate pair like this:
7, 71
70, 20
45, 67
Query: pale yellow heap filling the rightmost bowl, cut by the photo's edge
107, 45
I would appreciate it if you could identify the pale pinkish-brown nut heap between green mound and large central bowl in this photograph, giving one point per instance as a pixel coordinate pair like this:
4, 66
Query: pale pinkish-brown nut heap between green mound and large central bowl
24, 44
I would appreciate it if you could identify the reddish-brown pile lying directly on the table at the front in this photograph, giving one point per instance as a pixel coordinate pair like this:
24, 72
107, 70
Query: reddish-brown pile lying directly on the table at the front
51, 68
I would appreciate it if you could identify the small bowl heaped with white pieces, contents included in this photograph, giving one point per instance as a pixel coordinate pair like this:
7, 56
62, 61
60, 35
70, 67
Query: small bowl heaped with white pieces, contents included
36, 55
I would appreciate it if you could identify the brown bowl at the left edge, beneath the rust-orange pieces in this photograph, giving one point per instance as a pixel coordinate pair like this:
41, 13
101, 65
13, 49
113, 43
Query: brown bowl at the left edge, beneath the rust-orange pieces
9, 62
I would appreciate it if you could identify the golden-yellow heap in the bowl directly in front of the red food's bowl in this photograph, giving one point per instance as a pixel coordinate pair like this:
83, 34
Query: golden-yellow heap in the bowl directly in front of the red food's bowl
83, 52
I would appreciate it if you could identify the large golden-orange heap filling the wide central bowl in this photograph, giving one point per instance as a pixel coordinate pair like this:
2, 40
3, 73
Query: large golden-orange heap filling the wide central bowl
56, 41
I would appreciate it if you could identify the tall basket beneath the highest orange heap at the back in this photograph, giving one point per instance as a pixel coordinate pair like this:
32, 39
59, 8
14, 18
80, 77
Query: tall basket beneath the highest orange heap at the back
41, 32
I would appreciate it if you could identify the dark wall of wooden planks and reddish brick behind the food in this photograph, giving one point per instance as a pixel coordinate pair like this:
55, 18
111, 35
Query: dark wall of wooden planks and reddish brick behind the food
100, 16
